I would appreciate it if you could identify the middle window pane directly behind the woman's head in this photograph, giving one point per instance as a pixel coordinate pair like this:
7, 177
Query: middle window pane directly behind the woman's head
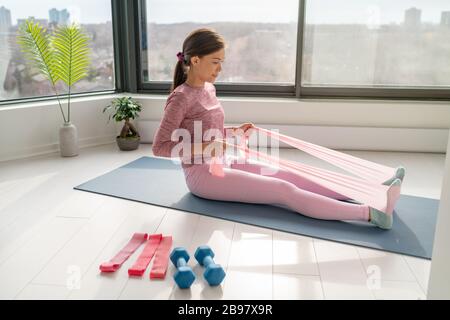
261, 37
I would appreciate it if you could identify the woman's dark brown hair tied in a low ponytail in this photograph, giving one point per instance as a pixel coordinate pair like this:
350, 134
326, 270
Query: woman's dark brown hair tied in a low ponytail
199, 42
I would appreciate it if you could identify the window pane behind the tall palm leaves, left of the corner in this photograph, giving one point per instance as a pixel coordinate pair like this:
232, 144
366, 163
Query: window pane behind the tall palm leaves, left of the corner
17, 80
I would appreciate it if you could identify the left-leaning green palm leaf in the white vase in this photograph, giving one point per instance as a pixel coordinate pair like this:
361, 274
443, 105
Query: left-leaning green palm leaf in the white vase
37, 48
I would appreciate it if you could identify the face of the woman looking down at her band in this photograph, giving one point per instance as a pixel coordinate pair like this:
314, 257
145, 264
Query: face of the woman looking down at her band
208, 67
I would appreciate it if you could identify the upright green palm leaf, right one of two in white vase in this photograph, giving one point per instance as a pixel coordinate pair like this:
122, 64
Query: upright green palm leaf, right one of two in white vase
72, 54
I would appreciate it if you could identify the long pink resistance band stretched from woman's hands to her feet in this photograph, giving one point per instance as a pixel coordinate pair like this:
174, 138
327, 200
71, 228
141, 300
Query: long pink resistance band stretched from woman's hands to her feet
367, 189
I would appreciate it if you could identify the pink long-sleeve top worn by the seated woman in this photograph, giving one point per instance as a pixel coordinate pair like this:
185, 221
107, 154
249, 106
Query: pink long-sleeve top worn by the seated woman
185, 105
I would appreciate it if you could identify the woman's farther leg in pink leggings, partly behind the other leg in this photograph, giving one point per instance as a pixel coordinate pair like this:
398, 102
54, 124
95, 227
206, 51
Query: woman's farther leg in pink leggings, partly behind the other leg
300, 181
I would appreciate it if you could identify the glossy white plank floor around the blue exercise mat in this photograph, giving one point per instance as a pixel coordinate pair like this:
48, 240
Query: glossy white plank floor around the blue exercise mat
53, 238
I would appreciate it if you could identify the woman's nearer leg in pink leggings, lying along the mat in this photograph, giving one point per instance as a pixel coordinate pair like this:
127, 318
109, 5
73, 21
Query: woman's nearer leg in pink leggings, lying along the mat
243, 186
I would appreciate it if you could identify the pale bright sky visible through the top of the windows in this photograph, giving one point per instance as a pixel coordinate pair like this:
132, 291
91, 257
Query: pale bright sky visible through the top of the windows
203, 11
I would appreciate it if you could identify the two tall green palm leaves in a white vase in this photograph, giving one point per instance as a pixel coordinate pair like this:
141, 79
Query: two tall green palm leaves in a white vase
61, 56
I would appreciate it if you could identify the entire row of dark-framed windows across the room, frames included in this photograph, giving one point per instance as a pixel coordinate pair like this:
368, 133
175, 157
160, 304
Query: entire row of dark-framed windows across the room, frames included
302, 48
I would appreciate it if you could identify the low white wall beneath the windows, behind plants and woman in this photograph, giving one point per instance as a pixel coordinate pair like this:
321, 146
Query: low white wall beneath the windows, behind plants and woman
32, 128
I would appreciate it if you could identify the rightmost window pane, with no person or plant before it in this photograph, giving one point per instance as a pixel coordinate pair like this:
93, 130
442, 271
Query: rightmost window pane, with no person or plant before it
376, 44
